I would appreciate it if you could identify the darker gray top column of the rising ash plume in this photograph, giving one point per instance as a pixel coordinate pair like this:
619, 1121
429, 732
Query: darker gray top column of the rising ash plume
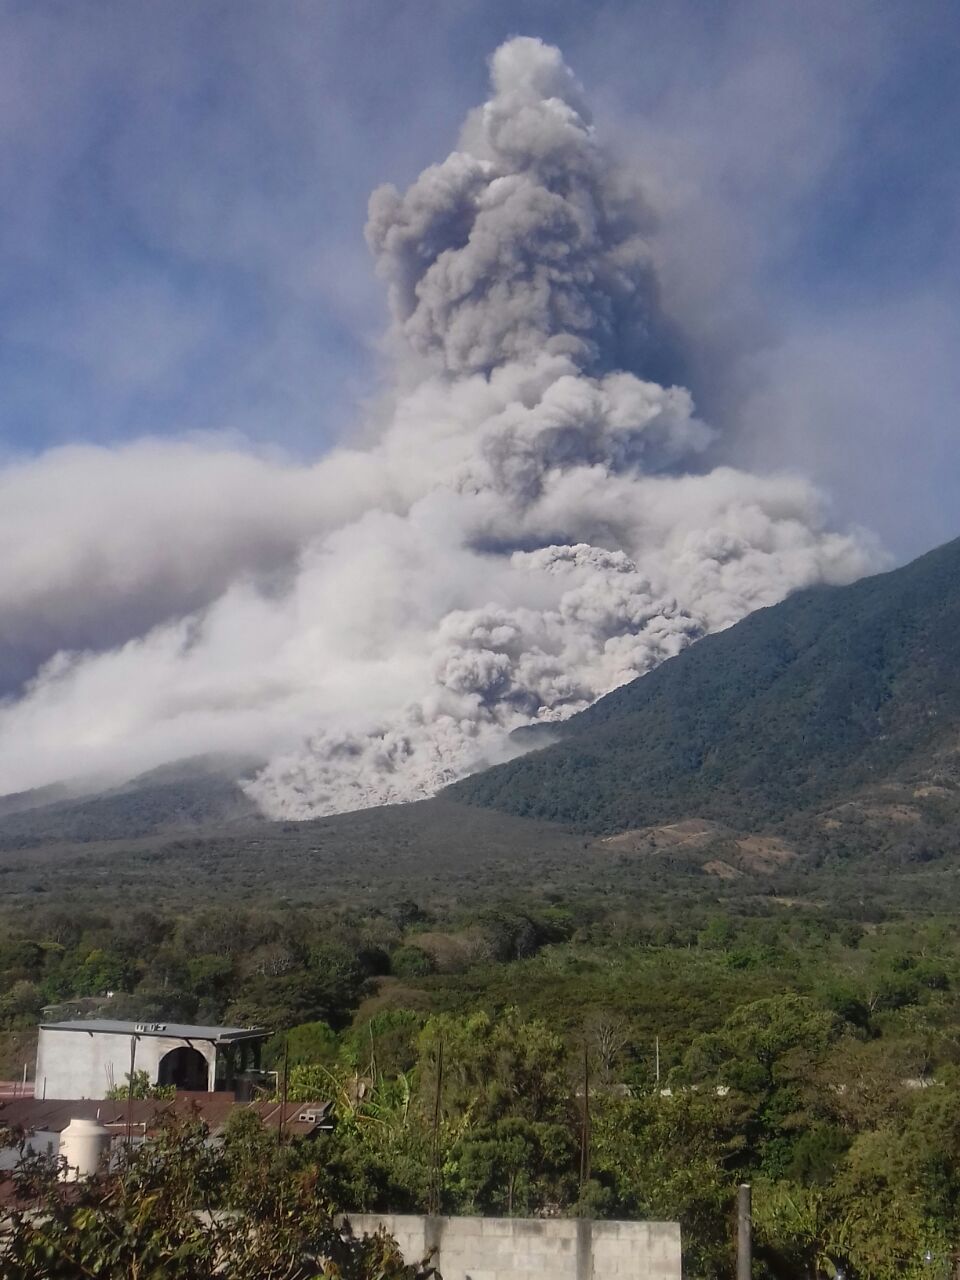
520, 243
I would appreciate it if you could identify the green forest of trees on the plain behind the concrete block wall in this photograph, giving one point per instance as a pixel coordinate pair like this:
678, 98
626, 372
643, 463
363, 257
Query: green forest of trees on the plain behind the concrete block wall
504, 1058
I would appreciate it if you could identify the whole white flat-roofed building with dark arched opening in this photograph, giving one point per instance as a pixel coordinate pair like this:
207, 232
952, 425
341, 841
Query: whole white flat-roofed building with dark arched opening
86, 1059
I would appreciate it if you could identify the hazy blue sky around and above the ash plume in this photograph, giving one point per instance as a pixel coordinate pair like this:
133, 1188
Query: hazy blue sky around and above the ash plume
185, 185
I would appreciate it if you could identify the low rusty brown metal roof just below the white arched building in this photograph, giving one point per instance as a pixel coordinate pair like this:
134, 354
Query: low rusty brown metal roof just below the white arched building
214, 1109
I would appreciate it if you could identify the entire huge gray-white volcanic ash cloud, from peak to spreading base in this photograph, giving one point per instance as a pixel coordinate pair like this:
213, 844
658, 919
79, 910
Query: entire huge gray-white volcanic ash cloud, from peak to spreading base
533, 527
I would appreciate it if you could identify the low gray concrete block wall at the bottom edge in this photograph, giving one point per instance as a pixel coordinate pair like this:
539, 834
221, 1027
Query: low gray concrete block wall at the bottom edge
525, 1249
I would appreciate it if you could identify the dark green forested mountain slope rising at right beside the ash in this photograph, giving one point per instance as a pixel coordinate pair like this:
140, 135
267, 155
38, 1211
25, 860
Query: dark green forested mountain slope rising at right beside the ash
798, 706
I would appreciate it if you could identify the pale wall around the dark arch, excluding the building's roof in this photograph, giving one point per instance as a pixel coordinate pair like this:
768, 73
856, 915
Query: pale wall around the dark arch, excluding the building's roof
88, 1064
